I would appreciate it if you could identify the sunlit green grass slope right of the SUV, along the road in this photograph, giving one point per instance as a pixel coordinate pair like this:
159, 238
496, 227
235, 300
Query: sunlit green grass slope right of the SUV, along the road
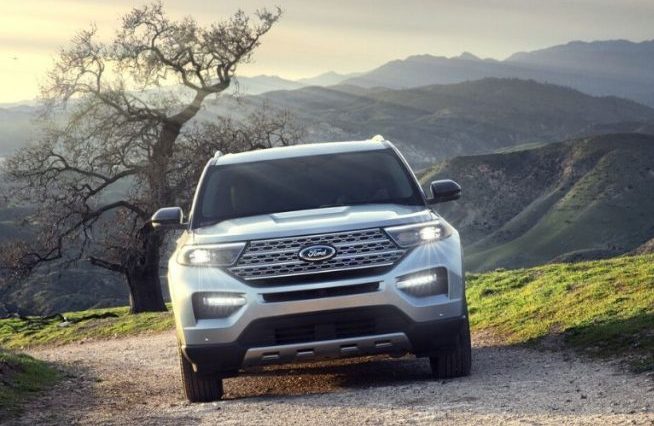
603, 308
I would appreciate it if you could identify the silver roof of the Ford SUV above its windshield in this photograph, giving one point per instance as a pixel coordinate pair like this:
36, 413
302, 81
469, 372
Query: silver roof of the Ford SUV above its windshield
303, 150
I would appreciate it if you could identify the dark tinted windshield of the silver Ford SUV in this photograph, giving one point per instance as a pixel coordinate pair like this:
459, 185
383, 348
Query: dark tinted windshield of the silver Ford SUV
300, 183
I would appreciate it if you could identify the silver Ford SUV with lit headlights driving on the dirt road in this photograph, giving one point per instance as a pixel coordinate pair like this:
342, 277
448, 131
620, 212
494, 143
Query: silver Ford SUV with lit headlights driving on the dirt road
314, 251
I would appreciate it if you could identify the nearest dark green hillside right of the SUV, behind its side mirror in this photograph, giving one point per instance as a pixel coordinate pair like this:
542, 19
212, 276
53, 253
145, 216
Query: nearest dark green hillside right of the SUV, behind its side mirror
587, 198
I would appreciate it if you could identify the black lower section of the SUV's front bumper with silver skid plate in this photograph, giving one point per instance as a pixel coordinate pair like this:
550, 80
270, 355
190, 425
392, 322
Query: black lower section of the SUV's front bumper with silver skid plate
421, 339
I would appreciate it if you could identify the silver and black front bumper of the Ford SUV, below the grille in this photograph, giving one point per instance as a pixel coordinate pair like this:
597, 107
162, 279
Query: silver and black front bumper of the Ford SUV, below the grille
225, 345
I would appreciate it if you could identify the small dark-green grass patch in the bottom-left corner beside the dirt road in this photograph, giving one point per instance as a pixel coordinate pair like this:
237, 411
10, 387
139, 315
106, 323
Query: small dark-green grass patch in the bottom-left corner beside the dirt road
21, 376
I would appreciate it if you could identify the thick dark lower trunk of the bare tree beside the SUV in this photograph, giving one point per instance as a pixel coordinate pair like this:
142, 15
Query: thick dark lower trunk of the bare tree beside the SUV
143, 275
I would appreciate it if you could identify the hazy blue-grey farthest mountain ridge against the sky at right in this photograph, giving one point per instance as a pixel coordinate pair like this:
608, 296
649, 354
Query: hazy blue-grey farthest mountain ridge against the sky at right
614, 67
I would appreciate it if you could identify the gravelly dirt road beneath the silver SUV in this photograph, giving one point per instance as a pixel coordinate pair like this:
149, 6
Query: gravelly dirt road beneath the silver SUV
136, 381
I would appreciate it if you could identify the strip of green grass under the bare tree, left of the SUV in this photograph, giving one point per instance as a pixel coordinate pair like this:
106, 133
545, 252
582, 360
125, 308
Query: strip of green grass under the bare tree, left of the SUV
19, 334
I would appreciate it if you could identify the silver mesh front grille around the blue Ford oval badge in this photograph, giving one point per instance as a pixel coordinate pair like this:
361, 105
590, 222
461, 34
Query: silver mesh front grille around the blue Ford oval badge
274, 258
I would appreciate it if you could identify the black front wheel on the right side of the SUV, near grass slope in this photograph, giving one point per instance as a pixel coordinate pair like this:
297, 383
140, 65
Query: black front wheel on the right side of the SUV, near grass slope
454, 362
